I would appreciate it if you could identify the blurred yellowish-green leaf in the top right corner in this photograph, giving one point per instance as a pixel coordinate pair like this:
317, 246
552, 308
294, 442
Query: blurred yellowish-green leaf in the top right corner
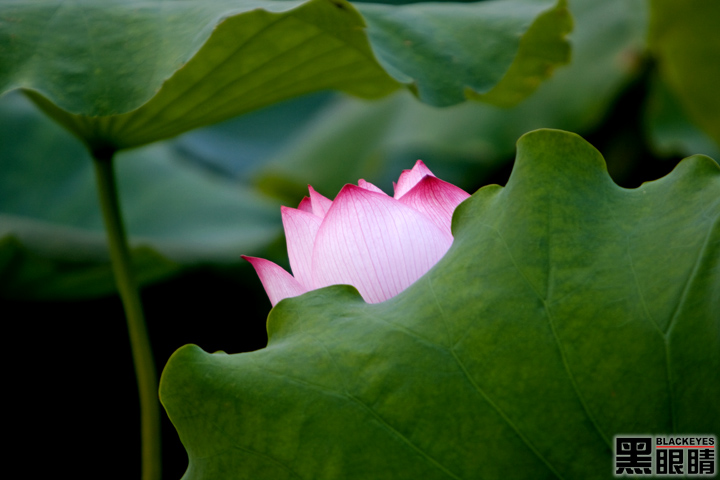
685, 37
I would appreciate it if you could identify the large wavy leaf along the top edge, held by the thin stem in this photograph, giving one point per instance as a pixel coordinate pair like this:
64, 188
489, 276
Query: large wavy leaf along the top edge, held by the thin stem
125, 73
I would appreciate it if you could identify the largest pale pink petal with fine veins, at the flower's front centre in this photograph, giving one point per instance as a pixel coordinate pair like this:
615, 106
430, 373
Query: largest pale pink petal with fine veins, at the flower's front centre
375, 243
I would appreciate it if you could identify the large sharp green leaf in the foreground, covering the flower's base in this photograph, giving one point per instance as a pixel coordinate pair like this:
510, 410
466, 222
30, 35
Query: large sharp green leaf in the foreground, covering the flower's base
568, 310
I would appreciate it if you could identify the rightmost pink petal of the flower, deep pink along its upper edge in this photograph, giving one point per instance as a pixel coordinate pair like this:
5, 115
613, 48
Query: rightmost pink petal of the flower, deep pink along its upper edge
435, 198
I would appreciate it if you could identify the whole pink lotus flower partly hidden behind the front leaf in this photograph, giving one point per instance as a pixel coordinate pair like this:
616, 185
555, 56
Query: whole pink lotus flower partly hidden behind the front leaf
365, 238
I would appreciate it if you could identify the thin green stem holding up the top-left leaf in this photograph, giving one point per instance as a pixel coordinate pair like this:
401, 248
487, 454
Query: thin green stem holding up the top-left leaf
139, 340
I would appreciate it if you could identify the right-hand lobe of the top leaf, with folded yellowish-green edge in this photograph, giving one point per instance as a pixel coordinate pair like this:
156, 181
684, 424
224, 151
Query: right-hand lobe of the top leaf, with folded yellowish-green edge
435, 47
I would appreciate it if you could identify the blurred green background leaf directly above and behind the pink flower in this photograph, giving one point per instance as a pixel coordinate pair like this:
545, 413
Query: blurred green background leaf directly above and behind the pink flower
351, 138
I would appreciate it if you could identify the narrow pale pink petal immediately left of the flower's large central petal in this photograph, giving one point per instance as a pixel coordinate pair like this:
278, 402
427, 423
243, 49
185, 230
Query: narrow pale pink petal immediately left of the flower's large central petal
300, 230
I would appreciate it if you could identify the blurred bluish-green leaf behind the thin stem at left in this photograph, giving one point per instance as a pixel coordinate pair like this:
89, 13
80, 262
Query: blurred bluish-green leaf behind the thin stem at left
52, 242
